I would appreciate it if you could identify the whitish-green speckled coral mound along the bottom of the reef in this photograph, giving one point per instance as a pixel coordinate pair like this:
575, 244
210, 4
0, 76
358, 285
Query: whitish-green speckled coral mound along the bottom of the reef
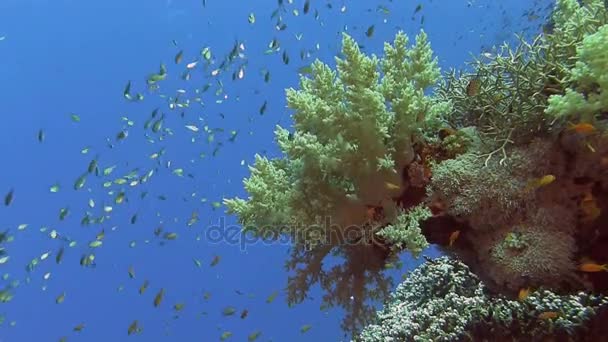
443, 300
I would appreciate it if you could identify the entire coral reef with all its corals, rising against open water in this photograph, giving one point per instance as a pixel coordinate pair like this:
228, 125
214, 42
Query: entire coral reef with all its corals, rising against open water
505, 168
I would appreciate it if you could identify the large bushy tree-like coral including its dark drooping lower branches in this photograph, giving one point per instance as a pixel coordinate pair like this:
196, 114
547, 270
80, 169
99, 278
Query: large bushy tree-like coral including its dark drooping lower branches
352, 179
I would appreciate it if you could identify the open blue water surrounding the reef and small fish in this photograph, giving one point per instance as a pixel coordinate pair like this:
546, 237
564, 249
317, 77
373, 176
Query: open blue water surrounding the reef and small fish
64, 57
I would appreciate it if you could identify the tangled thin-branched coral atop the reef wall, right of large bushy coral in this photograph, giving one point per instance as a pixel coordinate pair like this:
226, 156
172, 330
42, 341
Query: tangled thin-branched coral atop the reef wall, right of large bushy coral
507, 103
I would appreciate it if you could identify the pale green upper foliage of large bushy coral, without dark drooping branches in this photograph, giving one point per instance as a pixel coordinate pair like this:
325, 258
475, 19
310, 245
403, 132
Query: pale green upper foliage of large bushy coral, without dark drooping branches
353, 132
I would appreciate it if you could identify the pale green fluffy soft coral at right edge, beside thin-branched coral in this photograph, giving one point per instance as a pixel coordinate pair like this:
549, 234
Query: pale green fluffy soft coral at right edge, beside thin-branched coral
590, 75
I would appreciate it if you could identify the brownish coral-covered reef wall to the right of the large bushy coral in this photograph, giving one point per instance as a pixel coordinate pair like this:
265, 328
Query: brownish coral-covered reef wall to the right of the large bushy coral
527, 194
